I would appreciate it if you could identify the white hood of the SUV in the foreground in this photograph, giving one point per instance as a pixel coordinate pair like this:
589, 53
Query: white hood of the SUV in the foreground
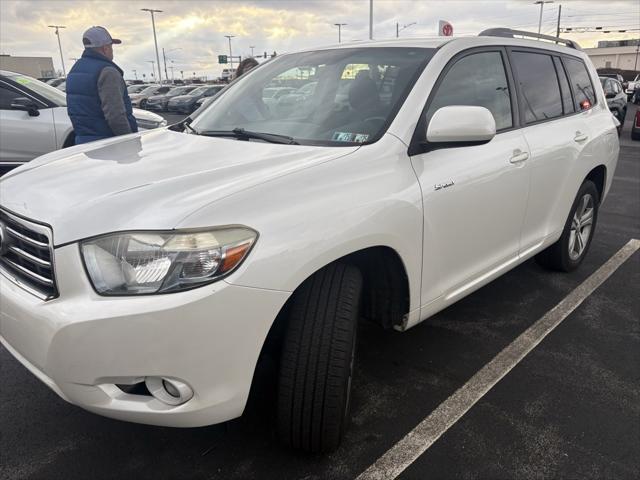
145, 181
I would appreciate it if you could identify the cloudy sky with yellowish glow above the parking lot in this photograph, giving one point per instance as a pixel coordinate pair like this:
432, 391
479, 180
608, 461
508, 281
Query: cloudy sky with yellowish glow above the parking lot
192, 31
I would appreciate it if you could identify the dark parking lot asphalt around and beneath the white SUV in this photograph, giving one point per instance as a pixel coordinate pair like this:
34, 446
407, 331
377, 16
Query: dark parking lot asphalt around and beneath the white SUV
570, 409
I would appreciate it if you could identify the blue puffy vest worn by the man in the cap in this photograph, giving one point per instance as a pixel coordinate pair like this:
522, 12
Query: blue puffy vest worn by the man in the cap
83, 102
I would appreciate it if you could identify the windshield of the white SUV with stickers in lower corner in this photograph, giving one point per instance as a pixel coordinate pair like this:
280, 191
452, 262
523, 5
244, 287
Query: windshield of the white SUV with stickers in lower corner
327, 97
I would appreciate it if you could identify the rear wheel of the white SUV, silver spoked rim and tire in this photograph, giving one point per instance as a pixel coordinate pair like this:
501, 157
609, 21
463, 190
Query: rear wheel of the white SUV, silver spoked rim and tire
568, 252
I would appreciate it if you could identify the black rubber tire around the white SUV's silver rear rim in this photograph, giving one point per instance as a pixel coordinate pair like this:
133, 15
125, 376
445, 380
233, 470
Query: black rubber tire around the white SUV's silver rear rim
557, 256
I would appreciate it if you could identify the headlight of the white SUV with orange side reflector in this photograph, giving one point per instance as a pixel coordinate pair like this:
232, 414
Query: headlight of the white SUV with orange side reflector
159, 262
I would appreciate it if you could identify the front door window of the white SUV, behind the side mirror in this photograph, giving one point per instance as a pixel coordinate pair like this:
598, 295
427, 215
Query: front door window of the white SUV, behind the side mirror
479, 79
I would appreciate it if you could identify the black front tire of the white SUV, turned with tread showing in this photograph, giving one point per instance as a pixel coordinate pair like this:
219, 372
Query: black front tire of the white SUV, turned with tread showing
316, 366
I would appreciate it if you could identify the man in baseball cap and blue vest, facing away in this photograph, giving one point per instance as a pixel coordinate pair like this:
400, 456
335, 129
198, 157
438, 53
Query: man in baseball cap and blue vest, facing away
97, 99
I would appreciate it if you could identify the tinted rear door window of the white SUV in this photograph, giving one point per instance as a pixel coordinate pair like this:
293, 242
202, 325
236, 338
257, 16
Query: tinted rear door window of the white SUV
539, 86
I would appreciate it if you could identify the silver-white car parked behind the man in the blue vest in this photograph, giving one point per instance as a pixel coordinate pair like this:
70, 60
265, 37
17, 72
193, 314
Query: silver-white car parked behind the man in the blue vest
34, 120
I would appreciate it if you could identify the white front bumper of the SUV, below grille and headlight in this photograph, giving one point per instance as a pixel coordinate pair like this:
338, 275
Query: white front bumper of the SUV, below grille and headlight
81, 345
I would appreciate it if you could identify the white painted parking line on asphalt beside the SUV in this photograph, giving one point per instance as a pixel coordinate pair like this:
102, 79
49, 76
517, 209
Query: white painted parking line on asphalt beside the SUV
418, 440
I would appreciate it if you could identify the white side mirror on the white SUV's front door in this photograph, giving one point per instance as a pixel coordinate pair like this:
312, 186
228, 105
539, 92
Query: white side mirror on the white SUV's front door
461, 124
